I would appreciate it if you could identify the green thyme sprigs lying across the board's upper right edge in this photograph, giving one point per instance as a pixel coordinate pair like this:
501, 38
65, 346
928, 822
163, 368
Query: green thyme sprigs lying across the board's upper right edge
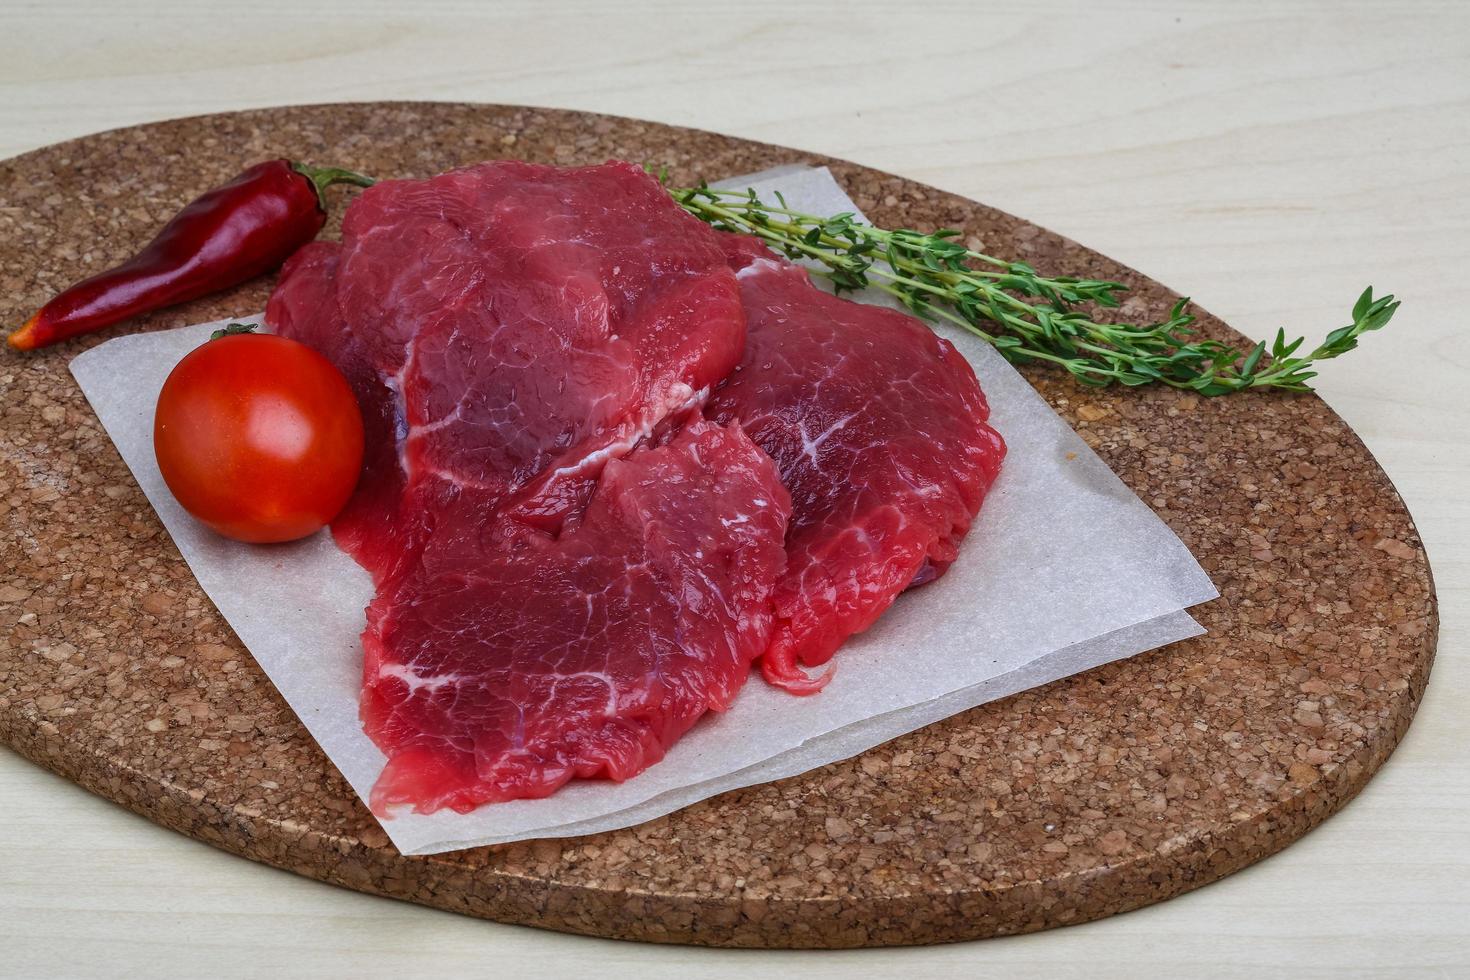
1024, 315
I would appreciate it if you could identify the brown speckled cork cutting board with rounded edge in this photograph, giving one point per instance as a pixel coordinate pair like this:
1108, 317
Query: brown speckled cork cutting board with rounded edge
1093, 796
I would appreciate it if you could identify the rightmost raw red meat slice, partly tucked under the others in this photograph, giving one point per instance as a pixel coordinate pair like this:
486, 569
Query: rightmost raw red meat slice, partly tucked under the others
878, 427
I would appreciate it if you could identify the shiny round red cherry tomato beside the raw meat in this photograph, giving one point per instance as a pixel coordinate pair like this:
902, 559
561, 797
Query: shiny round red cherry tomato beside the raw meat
259, 437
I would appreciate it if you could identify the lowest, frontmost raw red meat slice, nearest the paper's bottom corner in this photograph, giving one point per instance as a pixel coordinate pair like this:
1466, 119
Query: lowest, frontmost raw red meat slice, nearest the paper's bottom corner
505, 672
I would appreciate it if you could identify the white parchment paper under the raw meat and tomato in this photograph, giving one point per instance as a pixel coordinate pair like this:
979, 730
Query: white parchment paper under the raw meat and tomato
1065, 571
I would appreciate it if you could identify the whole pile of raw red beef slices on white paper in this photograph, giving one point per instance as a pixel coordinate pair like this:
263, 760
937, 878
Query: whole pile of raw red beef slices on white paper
578, 552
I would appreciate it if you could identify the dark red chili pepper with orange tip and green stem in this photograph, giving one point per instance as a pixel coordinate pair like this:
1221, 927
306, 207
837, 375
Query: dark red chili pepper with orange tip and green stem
229, 236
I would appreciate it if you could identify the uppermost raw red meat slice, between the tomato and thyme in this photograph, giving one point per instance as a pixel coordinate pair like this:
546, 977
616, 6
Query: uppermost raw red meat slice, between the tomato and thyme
536, 320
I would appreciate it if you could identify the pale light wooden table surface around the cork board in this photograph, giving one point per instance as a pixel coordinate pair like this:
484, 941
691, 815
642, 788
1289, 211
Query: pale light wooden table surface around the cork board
1269, 159
